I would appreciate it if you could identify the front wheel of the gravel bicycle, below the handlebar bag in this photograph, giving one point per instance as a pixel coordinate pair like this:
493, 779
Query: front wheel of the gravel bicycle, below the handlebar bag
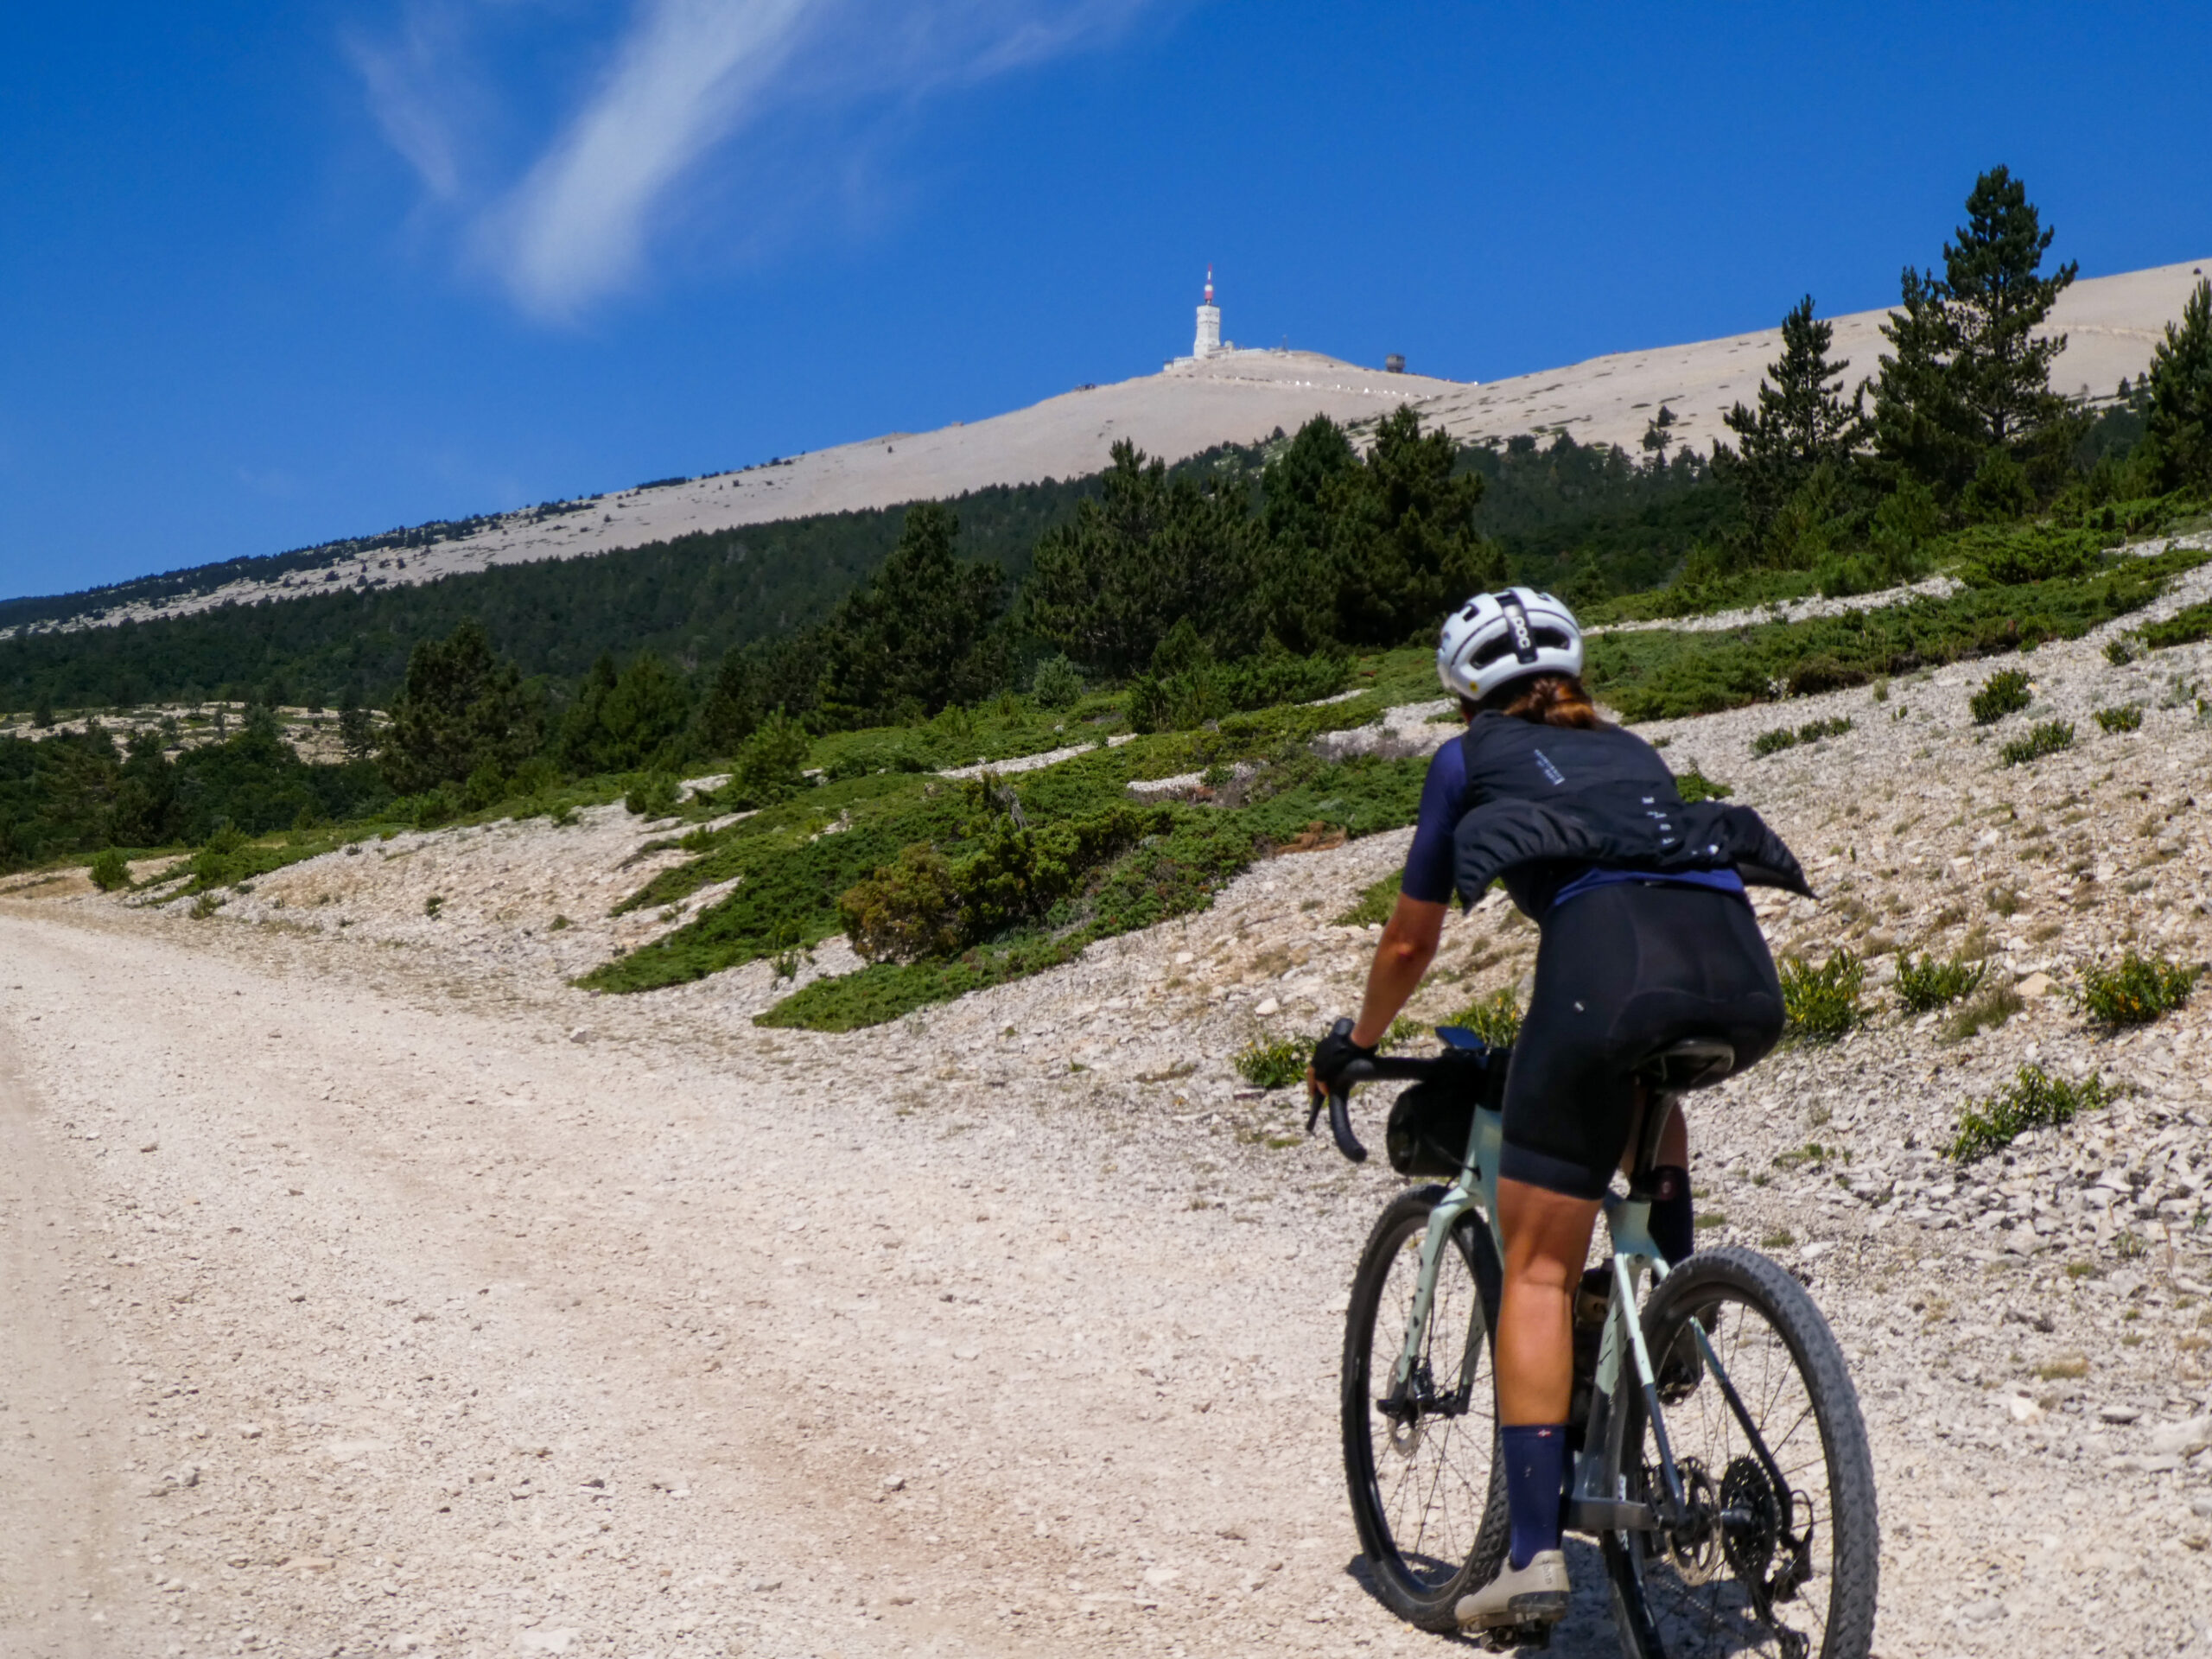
1428, 1485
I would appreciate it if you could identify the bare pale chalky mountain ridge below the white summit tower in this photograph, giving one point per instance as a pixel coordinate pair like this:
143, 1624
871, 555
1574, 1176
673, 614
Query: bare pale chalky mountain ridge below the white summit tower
2111, 326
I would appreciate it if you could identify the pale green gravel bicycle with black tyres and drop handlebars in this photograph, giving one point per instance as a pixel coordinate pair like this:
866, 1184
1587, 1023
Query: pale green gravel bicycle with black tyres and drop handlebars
1720, 1457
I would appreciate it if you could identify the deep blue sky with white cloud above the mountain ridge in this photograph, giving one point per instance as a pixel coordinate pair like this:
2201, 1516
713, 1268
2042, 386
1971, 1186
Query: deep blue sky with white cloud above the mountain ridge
275, 275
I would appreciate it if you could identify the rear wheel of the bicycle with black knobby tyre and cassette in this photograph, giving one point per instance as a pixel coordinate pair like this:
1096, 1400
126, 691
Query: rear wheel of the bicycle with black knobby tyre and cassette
1782, 1547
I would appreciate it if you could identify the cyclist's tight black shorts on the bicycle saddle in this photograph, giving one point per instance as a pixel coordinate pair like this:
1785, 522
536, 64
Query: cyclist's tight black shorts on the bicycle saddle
1618, 974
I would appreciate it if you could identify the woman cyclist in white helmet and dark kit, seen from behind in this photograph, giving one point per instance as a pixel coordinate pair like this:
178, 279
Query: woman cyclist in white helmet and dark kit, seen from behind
1645, 939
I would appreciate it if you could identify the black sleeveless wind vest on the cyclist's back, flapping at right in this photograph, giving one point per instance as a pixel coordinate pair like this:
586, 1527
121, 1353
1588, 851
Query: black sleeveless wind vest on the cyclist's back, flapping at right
1554, 802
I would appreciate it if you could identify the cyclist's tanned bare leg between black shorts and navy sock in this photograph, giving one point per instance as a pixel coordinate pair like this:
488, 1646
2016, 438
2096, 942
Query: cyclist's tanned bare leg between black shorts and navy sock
1547, 1242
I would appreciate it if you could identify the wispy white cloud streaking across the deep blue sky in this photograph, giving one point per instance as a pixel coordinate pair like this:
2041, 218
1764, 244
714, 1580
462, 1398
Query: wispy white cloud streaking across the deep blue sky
682, 85
